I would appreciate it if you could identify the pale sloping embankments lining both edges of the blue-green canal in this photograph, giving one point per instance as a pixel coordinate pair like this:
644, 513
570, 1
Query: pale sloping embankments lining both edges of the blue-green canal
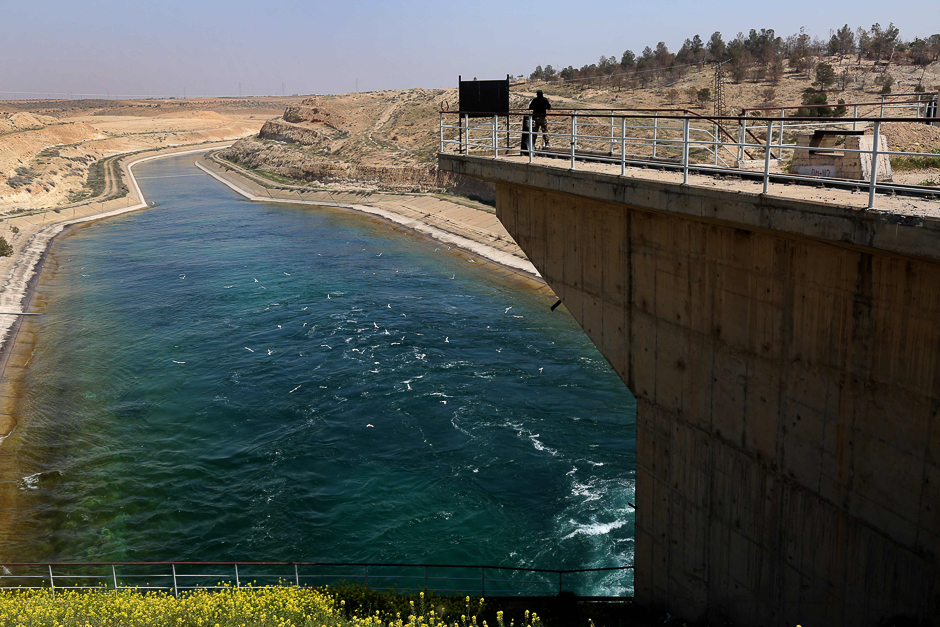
468, 229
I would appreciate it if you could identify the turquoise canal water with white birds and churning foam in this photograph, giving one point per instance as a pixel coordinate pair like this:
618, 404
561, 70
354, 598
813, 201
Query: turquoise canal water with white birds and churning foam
222, 380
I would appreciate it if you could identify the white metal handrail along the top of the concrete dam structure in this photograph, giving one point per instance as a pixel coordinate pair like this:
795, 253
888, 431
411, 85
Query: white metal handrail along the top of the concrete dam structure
614, 144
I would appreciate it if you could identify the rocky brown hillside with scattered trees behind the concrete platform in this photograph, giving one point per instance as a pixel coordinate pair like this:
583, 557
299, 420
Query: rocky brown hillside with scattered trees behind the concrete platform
388, 140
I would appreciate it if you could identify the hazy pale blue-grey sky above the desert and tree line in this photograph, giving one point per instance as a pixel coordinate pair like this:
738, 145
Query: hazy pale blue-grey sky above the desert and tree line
208, 47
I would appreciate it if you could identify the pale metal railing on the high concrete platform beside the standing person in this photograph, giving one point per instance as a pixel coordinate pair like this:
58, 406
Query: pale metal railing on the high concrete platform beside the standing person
679, 140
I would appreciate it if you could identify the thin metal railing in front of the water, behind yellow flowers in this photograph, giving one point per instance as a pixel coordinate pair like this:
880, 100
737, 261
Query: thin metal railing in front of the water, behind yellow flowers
181, 577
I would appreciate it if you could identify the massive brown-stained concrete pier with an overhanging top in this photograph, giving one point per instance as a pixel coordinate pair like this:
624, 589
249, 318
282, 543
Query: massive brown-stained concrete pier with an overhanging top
785, 356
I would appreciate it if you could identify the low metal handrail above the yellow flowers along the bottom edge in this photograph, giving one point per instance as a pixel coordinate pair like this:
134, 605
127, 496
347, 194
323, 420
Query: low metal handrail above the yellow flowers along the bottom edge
178, 576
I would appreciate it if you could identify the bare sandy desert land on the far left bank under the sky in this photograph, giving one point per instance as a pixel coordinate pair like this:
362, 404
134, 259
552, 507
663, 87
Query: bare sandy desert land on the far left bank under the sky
48, 149
